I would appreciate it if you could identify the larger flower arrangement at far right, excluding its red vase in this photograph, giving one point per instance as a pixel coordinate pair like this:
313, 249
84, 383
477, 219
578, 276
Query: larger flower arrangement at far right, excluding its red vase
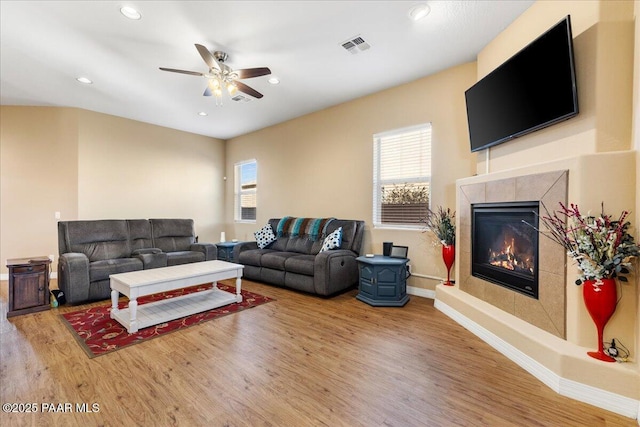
601, 246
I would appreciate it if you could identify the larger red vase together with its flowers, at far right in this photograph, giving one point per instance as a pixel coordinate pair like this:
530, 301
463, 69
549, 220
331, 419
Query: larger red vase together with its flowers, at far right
603, 250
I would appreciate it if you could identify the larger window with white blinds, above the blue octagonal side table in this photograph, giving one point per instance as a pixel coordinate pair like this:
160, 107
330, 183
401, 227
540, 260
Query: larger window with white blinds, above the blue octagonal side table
401, 176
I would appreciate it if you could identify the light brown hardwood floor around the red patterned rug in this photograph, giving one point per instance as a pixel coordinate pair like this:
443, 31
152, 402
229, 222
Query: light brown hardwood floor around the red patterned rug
297, 361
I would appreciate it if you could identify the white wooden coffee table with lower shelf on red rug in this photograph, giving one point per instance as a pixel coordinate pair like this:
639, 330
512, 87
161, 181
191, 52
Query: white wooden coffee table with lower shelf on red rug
146, 282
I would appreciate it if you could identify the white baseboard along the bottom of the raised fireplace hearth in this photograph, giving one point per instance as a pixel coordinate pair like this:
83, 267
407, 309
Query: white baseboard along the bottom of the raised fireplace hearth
585, 393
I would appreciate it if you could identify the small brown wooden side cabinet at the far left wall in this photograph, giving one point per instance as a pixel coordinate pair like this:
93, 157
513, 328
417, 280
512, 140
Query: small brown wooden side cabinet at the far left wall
28, 285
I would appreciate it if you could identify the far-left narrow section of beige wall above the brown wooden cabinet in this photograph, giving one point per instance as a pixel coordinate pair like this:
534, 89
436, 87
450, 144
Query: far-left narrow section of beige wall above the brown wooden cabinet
39, 176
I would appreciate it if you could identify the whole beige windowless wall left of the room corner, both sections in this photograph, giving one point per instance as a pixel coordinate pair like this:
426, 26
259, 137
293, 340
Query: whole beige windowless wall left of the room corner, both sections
88, 165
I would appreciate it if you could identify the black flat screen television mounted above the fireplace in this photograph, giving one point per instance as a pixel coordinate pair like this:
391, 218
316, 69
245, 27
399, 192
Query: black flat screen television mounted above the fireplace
534, 89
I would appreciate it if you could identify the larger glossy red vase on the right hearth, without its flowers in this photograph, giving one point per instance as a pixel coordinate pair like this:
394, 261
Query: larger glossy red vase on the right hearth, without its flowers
600, 298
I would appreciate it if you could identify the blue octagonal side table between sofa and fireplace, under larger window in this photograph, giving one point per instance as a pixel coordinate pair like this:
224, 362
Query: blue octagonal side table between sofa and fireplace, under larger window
383, 281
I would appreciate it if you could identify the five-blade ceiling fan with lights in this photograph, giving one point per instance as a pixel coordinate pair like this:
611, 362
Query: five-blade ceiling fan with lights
220, 75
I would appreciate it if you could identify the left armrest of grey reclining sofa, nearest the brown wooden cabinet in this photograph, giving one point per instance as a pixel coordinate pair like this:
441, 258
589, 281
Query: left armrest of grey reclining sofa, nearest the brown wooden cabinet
73, 276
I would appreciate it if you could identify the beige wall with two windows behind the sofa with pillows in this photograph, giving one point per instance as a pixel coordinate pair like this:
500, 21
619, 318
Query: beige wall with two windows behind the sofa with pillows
322, 164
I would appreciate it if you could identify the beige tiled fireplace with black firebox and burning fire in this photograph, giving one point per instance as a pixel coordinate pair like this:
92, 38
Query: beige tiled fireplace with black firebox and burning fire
512, 267
